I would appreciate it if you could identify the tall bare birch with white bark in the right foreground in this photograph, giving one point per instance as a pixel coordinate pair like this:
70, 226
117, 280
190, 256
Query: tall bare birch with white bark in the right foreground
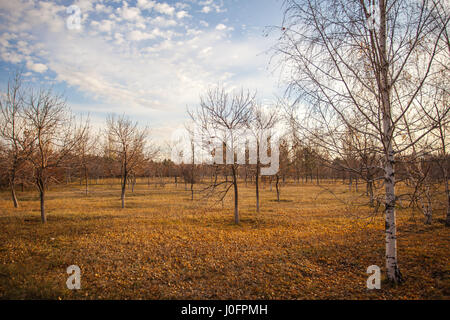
346, 58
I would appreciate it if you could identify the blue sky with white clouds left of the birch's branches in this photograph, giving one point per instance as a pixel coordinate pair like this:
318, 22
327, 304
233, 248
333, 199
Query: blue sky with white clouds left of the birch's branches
147, 59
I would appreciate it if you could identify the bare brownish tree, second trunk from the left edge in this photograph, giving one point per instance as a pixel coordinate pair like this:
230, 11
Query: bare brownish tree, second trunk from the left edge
55, 136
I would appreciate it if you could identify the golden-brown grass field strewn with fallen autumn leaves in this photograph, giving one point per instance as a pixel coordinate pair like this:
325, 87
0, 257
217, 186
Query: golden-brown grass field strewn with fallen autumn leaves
311, 245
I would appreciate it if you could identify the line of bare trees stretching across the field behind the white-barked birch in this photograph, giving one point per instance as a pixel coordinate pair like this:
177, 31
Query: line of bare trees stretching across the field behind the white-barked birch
122, 151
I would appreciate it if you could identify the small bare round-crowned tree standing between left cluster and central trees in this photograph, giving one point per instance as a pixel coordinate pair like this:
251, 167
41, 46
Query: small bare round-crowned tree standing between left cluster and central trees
127, 143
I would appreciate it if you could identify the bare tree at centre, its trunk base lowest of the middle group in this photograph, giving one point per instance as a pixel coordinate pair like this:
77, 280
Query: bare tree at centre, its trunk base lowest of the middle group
221, 118
